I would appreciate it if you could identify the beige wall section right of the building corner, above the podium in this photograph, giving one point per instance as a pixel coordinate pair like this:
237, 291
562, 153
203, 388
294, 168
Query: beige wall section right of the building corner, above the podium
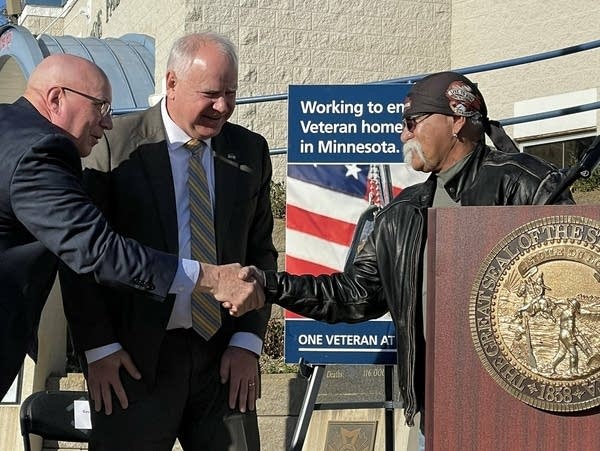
485, 31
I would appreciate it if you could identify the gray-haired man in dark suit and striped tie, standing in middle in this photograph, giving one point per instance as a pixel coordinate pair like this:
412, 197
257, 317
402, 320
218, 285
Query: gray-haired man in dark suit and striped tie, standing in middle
138, 176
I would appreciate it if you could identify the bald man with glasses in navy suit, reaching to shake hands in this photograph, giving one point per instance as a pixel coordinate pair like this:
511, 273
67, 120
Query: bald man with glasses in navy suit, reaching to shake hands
45, 215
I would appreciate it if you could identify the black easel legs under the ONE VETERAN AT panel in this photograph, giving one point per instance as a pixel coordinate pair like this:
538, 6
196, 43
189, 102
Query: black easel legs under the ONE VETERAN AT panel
314, 374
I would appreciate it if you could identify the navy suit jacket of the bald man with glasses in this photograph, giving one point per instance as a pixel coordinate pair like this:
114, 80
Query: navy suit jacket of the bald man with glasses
45, 214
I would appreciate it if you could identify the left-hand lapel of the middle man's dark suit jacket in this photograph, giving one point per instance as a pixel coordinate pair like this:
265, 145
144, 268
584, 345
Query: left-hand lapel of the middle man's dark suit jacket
155, 159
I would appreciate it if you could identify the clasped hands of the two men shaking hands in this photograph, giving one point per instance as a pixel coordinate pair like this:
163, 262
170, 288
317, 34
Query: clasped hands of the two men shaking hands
238, 289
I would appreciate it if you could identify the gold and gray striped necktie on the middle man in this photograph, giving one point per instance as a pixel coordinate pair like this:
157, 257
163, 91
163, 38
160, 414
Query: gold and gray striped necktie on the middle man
206, 310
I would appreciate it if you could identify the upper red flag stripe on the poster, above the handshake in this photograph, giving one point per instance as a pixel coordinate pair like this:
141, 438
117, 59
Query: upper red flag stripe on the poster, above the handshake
334, 230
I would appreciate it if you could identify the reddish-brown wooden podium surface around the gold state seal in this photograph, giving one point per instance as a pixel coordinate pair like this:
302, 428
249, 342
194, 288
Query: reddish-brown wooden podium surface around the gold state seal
466, 409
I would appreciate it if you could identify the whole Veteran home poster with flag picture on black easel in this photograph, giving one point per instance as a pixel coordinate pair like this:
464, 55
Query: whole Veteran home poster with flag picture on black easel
366, 120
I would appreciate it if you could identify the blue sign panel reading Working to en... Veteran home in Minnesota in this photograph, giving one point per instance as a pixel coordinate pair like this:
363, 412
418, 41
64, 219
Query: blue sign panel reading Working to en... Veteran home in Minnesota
345, 123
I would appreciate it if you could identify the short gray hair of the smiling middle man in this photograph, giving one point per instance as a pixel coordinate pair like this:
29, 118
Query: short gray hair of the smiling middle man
184, 50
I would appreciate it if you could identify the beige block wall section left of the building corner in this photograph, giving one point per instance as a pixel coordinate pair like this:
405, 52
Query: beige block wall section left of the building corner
283, 42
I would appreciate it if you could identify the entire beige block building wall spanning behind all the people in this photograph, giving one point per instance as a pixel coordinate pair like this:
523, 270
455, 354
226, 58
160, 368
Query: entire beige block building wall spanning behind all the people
283, 42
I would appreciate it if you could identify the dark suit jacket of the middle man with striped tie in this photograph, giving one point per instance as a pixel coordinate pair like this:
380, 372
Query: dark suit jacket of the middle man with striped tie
129, 175
